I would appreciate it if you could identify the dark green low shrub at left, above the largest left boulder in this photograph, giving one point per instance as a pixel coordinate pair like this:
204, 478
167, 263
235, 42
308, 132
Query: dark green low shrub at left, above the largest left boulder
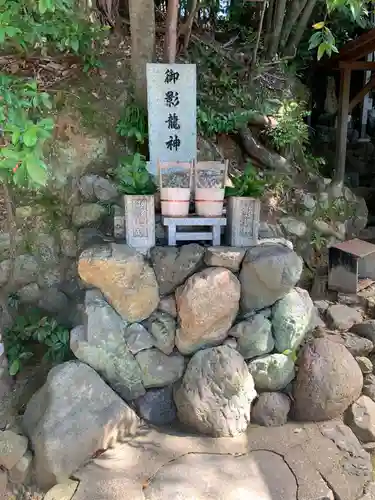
31, 330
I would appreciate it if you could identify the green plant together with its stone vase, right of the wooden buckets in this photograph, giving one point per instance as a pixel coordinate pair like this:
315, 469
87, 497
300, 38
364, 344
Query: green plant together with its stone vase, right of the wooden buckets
243, 209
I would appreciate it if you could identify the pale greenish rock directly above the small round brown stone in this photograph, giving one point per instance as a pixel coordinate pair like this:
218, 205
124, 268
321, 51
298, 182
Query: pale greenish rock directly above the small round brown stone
272, 372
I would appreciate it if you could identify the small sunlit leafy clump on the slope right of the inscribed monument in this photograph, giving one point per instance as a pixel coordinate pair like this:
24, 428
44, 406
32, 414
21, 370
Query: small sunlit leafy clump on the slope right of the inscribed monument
291, 129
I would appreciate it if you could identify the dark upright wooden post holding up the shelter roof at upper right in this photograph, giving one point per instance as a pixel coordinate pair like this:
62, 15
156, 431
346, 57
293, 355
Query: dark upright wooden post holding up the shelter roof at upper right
342, 126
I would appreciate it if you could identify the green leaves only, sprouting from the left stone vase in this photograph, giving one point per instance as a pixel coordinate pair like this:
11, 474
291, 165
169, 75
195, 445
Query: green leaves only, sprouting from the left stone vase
133, 177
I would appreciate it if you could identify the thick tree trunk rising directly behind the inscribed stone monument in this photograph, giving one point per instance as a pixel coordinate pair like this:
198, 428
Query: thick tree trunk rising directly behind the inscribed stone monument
142, 25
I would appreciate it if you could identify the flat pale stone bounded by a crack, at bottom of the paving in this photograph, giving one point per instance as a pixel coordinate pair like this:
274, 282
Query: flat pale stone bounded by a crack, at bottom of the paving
259, 475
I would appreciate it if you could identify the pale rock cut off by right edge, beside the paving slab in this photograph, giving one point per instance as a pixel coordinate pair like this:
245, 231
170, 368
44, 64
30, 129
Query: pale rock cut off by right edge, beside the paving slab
360, 417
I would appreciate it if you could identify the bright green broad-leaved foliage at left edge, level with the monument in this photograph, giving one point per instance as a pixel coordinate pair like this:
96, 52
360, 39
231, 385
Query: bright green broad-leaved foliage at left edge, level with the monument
24, 131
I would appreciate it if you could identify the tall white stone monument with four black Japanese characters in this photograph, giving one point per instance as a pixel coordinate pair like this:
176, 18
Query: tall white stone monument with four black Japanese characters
172, 126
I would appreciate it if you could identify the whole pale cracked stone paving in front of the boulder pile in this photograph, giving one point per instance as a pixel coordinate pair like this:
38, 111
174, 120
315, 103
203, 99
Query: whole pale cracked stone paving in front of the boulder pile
294, 462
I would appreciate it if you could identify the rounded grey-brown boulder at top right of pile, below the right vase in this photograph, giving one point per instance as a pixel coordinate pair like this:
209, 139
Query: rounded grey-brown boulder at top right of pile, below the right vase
268, 273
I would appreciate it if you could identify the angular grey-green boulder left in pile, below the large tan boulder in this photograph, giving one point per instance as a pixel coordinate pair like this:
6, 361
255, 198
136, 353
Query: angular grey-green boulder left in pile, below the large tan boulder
101, 344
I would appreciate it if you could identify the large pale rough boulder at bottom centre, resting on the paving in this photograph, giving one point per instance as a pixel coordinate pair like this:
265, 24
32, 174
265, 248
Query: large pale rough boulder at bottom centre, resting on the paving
216, 392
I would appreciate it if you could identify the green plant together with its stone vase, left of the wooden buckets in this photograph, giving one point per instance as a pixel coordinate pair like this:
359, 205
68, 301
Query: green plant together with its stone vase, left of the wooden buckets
138, 188
